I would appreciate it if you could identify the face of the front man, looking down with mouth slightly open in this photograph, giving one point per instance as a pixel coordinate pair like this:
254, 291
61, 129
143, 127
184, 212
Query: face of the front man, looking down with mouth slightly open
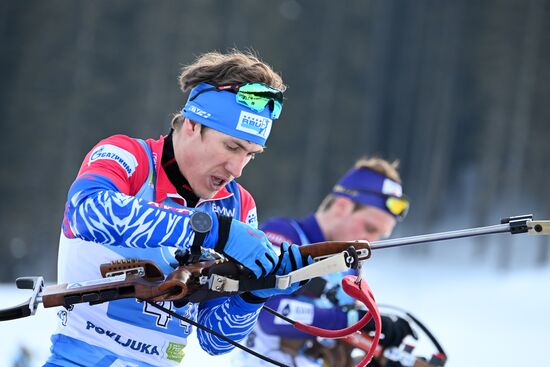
212, 159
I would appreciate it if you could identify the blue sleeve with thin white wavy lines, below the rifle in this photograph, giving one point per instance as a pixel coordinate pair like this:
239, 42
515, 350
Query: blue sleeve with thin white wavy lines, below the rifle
230, 316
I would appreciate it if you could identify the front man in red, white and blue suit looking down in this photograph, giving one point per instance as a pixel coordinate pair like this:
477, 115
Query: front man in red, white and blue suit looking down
134, 198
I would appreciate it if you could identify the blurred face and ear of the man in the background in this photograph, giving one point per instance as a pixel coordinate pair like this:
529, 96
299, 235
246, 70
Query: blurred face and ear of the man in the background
368, 223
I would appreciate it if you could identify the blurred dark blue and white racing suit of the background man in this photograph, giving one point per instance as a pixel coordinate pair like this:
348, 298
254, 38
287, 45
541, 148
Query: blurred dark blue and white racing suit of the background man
301, 306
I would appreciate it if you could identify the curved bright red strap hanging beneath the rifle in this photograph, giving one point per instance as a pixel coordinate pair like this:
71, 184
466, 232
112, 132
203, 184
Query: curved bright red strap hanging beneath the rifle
362, 293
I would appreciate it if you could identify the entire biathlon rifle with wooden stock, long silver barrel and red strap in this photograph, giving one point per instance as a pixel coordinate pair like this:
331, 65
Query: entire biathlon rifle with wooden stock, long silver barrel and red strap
143, 280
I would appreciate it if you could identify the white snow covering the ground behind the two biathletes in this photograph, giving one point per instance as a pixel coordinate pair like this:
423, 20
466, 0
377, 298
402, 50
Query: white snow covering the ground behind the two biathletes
481, 316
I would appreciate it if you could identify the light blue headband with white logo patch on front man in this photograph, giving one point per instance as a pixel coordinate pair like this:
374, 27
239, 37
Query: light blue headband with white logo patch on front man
220, 111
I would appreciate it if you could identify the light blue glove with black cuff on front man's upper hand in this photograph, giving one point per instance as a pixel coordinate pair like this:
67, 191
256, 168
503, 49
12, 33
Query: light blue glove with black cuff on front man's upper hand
246, 245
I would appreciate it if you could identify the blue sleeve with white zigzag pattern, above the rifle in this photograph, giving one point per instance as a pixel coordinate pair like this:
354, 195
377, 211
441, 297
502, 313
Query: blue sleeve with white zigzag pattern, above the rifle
97, 212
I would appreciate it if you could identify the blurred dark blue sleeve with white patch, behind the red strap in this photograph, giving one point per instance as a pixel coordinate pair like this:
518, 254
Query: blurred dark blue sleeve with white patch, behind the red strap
301, 309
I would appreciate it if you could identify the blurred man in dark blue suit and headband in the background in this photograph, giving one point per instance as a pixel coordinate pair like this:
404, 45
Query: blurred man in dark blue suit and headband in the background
365, 204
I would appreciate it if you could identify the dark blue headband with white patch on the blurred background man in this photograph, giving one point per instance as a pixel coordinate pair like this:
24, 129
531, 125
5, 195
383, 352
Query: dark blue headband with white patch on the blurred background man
367, 187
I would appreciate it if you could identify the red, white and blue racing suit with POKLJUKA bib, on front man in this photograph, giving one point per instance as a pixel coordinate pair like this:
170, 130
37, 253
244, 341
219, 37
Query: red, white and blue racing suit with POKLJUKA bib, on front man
122, 205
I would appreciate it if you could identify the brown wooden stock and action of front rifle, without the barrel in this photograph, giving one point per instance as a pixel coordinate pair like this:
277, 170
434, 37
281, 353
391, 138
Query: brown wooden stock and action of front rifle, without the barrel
142, 279
